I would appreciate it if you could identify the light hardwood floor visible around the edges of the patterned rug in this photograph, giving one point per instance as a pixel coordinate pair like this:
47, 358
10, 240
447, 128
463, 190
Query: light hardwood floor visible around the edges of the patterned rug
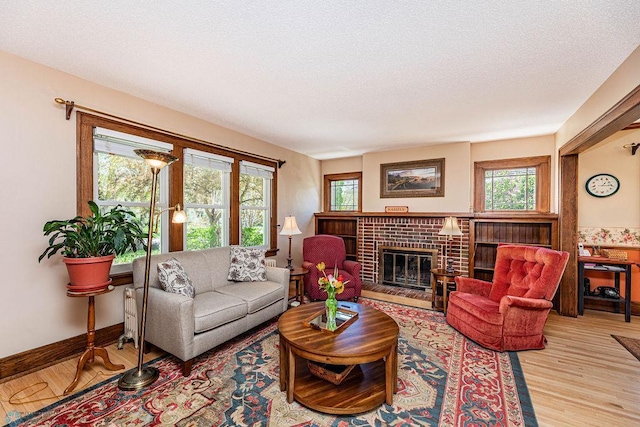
583, 378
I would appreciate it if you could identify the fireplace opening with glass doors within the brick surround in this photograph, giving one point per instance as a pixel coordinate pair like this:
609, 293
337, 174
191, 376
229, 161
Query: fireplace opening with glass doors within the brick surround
405, 267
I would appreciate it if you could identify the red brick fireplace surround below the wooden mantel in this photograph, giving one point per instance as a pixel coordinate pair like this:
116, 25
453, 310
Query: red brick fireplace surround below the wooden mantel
411, 233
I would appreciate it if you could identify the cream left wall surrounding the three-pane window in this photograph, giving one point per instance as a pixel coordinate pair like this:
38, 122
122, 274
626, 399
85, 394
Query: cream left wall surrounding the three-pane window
39, 184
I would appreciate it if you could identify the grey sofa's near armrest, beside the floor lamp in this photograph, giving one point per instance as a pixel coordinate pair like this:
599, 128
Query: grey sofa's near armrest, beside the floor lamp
170, 321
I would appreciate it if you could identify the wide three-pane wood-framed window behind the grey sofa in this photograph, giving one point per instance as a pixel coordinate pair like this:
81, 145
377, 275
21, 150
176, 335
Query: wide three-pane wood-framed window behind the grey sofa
206, 180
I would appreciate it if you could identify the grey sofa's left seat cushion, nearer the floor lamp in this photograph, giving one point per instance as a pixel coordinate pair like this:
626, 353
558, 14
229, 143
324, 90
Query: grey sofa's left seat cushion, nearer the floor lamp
212, 309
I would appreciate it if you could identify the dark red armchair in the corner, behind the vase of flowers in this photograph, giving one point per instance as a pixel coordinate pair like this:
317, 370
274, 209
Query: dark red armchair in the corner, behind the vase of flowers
330, 250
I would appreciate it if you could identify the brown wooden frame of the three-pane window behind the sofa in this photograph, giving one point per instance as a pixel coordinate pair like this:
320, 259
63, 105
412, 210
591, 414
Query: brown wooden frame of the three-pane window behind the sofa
85, 123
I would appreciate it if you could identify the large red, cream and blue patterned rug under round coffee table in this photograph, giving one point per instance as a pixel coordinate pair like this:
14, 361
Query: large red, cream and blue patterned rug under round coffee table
443, 379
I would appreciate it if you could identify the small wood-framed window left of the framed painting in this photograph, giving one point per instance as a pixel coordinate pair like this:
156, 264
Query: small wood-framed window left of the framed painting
342, 192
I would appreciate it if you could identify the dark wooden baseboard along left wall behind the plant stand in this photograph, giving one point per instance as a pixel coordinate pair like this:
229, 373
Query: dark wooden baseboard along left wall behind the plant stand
42, 357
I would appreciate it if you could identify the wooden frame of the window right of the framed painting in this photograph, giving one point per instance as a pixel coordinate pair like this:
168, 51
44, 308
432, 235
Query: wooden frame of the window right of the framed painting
543, 182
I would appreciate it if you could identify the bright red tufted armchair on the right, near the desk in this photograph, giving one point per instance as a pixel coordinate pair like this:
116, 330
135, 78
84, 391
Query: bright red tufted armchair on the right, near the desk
509, 314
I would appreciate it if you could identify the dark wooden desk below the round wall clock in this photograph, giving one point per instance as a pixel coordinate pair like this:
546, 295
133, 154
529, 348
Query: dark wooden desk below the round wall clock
601, 264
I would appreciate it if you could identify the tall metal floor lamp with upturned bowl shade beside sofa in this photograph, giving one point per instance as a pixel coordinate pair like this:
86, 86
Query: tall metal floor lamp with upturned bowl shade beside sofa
140, 377
